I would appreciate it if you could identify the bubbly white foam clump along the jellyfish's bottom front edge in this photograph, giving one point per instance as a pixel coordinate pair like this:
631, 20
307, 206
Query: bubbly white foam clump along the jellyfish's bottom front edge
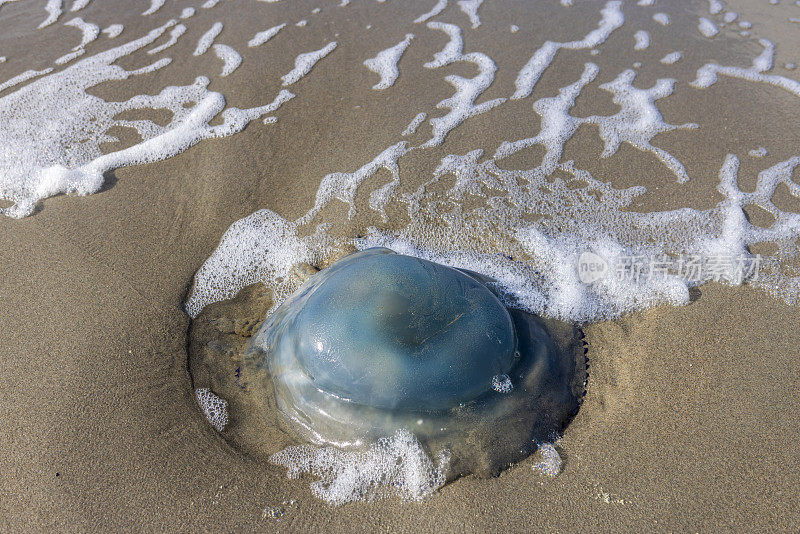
394, 466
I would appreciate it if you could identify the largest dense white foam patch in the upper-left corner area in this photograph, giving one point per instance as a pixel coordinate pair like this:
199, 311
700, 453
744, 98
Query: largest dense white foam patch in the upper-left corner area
68, 159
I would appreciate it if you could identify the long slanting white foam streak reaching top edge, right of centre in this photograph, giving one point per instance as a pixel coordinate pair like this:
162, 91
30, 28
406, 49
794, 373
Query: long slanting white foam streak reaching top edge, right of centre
612, 18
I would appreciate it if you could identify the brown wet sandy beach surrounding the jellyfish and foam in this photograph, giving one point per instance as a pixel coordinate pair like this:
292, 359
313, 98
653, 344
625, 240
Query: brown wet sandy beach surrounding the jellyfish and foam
690, 418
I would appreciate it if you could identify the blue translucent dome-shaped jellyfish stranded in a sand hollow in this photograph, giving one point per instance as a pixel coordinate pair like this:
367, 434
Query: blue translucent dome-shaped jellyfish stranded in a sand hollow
379, 342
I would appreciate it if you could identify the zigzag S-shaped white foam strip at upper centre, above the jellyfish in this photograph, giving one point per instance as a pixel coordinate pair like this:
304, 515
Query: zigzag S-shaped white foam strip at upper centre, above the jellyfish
462, 103
